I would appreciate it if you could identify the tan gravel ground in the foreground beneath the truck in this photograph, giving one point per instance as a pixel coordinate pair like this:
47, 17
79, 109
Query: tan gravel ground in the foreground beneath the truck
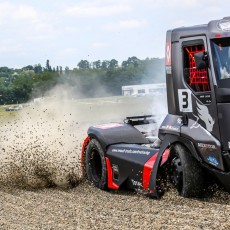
86, 207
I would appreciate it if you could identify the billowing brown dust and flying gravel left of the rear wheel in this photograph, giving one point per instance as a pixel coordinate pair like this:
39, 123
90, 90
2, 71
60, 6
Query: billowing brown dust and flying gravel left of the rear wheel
41, 145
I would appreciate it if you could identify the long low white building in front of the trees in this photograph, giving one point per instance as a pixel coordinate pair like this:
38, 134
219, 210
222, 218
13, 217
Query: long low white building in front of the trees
141, 90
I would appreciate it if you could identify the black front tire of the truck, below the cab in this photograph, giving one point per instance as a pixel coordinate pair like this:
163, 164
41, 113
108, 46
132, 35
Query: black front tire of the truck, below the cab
186, 173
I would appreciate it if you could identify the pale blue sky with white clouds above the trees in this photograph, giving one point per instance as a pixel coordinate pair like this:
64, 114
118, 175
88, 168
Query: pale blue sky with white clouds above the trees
66, 32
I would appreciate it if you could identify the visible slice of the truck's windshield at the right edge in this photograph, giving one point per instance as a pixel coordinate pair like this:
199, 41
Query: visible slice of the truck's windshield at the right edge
221, 48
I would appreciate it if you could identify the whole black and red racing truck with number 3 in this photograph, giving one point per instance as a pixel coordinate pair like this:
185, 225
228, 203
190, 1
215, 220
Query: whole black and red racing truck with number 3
193, 140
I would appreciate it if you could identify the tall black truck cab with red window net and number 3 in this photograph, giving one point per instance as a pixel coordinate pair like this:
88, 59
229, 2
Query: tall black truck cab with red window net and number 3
198, 93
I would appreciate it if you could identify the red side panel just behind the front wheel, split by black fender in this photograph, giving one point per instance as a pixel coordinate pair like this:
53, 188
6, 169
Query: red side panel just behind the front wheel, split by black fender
148, 167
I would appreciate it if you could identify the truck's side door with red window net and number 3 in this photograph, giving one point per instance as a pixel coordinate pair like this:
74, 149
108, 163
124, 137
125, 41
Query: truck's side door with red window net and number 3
197, 95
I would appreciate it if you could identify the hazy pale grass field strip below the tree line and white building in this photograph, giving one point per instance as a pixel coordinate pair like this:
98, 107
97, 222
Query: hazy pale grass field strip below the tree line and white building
97, 109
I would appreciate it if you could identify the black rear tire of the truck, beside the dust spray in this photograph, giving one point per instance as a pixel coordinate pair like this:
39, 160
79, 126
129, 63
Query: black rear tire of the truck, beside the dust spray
95, 165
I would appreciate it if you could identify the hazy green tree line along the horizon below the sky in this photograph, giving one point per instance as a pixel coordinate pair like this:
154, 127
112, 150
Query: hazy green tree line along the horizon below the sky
88, 79
